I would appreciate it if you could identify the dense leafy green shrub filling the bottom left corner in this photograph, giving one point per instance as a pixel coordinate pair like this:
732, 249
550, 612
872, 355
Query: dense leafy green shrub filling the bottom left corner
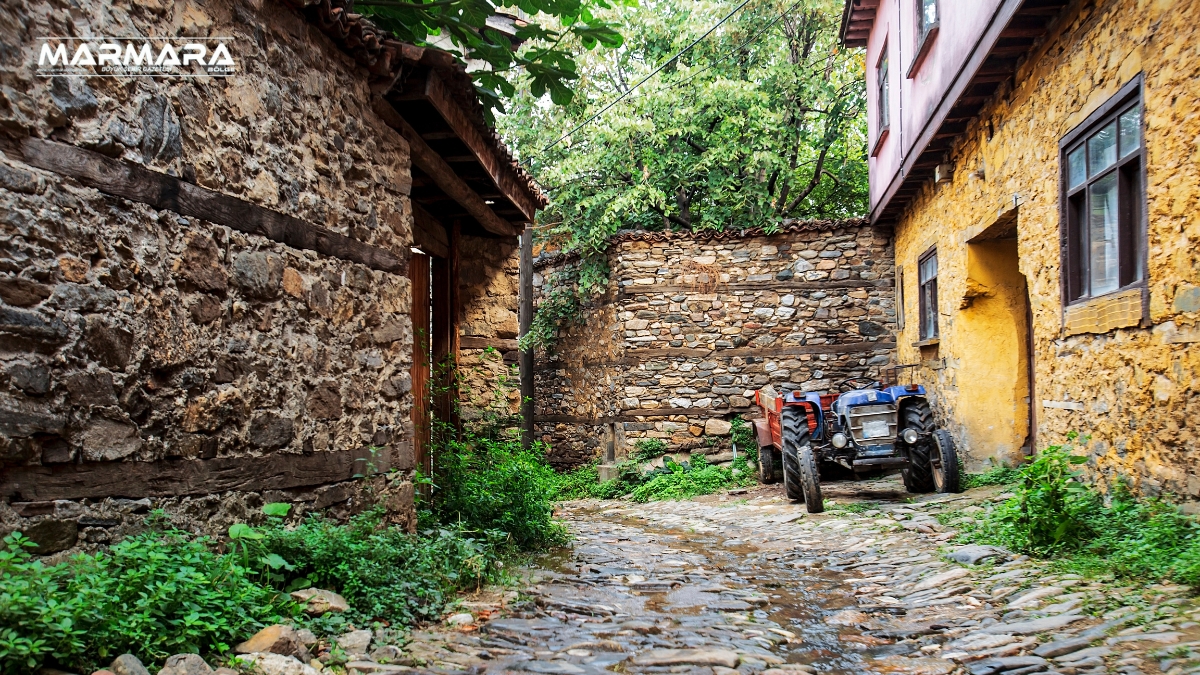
153, 595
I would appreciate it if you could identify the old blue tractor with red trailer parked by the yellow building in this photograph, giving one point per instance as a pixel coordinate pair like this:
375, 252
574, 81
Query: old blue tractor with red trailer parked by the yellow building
866, 428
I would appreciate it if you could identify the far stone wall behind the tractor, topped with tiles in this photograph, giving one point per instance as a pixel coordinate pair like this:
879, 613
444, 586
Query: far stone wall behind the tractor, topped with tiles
693, 325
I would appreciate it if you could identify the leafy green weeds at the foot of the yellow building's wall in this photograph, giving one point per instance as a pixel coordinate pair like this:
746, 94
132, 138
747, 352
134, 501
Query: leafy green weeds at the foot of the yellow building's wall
1054, 515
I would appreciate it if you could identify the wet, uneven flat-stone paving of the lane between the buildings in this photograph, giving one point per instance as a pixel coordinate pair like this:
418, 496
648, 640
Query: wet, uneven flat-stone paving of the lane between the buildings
754, 584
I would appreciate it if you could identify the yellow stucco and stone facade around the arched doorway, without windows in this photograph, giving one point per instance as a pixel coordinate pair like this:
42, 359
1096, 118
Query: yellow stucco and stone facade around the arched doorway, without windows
1121, 369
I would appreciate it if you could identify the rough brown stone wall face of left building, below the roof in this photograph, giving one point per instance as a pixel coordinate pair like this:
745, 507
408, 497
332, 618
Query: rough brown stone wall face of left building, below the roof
171, 355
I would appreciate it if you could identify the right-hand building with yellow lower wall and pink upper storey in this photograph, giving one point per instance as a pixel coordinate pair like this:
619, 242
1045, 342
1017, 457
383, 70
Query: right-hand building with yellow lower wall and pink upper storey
1037, 164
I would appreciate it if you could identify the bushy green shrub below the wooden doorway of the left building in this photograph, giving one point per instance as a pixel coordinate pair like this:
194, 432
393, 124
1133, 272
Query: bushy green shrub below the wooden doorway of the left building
487, 485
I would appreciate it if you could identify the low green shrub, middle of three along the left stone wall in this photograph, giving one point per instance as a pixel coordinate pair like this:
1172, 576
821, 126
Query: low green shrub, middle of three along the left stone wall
385, 572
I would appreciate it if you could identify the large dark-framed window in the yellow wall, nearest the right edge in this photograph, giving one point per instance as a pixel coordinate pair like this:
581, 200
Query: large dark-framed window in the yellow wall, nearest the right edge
1105, 200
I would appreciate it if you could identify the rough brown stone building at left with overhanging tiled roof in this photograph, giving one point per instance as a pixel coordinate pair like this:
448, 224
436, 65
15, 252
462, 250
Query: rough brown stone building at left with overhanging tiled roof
220, 291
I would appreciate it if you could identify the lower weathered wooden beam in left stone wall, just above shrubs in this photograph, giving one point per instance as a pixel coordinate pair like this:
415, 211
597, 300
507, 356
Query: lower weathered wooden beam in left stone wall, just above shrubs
173, 479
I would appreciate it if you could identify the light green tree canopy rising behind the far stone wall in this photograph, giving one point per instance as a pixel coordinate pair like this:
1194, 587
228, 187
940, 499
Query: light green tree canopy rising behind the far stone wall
759, 123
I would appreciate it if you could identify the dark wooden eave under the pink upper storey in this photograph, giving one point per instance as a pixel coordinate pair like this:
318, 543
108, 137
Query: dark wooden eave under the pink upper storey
1016, 28
